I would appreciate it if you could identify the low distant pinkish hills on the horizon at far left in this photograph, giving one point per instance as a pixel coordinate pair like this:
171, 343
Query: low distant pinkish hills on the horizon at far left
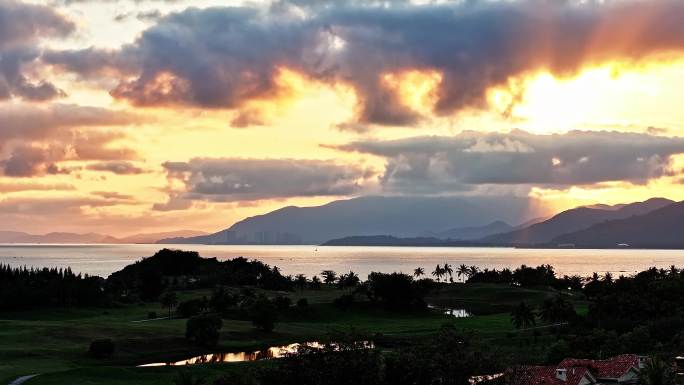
63, 237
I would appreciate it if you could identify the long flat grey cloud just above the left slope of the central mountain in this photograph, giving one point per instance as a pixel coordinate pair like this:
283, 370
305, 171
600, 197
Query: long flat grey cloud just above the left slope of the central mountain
236, 179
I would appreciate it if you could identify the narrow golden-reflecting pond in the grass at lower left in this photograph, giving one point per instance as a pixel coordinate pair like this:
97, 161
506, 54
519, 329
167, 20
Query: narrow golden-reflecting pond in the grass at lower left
271, 352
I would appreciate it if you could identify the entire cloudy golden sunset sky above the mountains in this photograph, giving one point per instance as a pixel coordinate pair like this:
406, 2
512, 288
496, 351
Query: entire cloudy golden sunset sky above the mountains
122, 117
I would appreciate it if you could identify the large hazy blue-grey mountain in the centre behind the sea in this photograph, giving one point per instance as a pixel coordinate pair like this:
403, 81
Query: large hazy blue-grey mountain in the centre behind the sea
395, 216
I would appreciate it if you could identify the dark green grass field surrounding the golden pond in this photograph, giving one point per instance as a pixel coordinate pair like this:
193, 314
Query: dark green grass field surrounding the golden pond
54, 342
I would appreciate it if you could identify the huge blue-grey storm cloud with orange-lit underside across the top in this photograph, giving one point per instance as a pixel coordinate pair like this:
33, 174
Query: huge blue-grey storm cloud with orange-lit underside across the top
223, 57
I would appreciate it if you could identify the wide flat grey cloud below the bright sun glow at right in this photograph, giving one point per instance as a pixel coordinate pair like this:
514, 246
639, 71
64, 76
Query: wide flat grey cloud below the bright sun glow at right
438, 164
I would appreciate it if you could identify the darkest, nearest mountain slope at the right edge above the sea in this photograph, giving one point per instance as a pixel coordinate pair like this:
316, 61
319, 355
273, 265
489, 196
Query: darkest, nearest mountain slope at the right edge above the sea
659, 228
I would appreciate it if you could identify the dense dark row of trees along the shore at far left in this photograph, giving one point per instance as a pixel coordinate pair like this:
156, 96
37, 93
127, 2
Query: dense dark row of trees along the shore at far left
21, 288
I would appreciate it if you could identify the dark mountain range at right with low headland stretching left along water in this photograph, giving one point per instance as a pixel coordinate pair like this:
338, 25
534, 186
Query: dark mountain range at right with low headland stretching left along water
650, 224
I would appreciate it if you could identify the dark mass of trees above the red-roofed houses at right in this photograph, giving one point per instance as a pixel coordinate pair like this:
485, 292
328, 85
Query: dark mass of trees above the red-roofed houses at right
642, 314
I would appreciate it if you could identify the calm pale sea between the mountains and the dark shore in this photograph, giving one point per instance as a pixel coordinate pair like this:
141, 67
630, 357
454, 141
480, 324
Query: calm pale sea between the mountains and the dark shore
104, 259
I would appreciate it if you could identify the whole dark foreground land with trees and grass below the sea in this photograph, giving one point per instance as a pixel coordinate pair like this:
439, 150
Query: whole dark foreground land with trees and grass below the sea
387, 329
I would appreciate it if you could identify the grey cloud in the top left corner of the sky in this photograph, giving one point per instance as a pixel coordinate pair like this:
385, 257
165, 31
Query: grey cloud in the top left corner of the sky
21, 27
